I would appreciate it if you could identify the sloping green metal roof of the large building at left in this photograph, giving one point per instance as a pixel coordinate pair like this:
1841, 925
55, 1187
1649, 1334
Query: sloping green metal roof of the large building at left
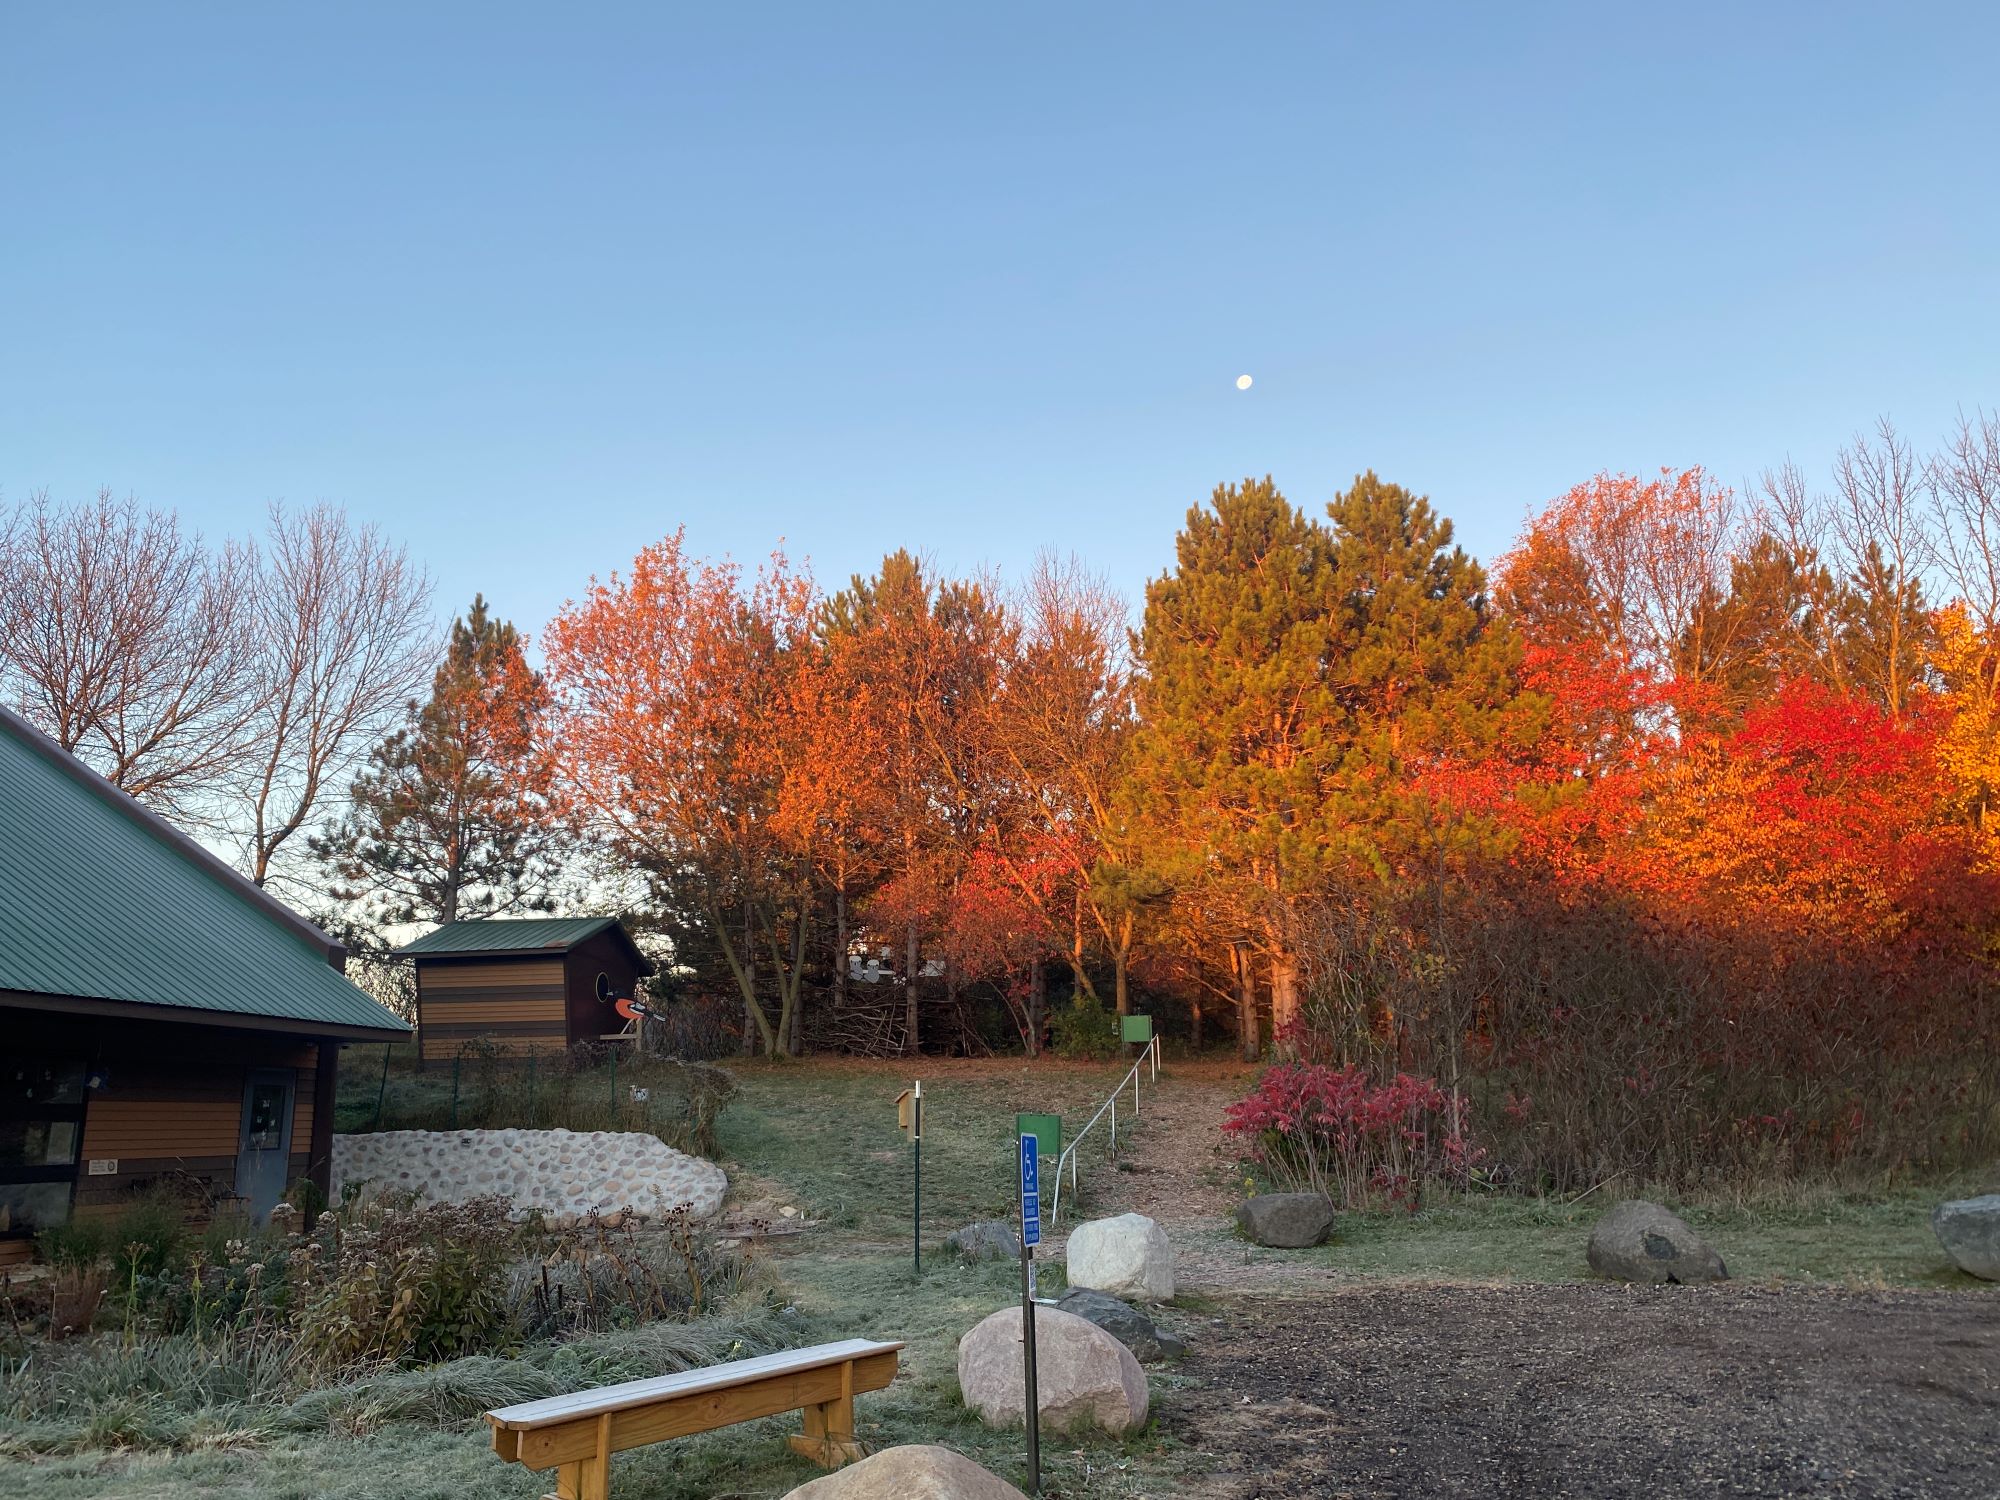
103, 901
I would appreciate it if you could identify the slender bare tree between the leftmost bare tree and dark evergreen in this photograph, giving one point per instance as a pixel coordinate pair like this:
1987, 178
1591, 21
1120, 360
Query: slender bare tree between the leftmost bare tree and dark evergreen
347, 635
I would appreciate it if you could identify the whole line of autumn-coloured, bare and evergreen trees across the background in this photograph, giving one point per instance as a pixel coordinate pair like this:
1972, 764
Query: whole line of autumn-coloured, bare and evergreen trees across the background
1337, 789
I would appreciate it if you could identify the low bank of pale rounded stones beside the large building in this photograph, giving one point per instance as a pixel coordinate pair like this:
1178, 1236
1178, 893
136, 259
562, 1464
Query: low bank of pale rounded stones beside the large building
563, 1173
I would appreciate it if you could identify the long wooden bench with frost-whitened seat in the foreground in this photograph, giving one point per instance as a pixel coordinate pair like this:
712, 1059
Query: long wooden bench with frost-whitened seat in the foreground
577, 1435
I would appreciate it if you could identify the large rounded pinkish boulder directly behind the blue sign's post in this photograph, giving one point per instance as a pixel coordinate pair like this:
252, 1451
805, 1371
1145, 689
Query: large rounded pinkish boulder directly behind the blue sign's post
1085, 1379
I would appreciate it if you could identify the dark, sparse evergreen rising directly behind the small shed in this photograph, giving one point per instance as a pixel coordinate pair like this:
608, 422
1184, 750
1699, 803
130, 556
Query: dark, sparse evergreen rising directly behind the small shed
451, 817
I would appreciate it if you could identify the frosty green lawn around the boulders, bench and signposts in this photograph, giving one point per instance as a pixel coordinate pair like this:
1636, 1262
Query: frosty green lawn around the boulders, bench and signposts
821, 1137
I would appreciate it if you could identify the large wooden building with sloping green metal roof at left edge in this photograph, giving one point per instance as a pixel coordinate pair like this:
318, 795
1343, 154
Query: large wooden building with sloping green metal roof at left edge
161, 1017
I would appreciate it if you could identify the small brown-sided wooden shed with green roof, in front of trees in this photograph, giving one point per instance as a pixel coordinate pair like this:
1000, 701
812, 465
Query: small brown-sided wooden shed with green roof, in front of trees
523, 985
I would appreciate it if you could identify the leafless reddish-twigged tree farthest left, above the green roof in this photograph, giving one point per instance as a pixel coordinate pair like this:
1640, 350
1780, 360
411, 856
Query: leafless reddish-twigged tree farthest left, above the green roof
131, 645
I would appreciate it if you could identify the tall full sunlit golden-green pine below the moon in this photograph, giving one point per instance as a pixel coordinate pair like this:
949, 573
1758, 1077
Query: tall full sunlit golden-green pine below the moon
1305, 695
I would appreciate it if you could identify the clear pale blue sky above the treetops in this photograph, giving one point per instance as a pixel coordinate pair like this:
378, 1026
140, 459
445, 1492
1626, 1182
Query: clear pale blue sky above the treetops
533, 285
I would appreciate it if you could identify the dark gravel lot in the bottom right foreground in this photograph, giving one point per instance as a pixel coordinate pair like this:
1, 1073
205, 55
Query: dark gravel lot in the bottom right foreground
1597, 1391
